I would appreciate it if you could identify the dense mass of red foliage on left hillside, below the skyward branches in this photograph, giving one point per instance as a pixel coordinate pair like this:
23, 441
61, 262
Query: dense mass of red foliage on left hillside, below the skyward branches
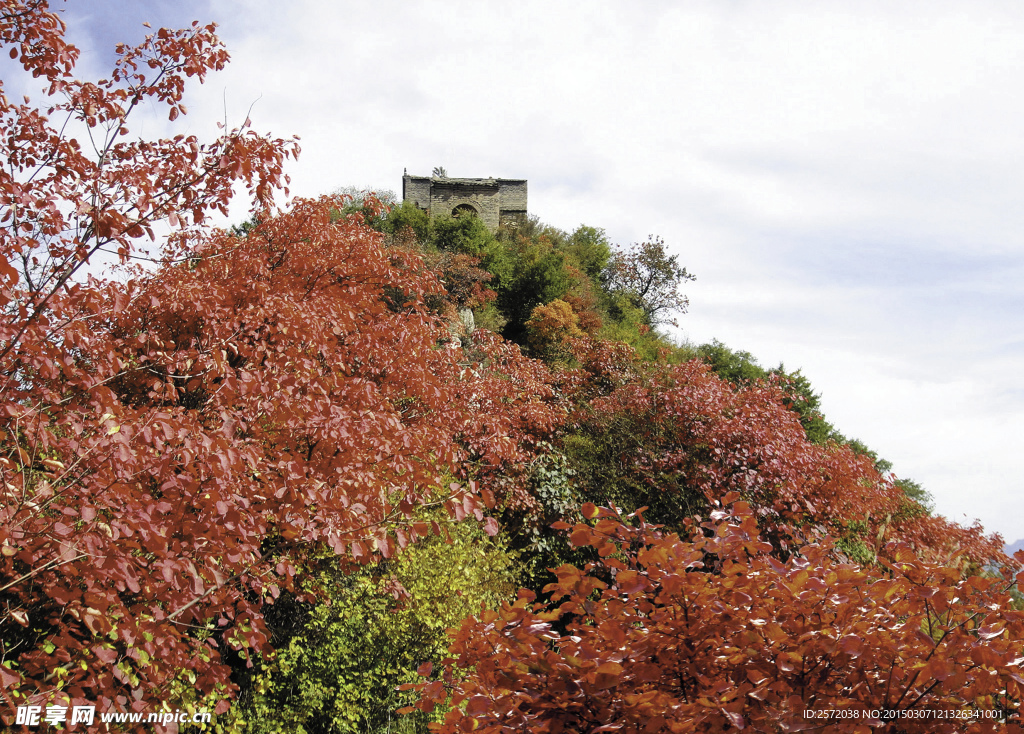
195, 433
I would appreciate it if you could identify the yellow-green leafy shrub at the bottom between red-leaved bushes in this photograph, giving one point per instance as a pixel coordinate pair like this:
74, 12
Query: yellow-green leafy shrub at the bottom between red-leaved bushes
340, 673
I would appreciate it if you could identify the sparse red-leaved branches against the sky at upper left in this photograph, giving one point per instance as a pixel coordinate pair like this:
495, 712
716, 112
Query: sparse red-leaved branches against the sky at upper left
75, 185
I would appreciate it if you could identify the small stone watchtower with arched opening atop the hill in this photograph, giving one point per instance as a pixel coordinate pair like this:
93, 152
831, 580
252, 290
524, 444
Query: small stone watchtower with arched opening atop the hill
496, 201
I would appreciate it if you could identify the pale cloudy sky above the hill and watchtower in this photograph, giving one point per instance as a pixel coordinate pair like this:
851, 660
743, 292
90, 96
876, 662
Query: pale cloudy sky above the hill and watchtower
845, 179
